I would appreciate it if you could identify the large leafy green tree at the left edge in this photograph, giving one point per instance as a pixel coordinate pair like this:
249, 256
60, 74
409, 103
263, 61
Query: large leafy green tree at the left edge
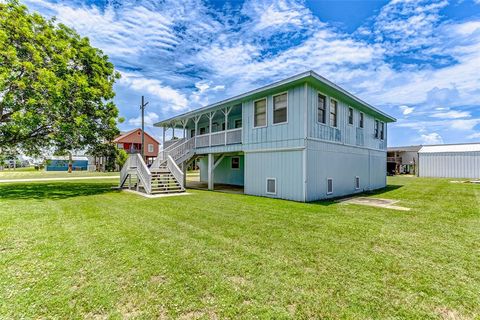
56, 90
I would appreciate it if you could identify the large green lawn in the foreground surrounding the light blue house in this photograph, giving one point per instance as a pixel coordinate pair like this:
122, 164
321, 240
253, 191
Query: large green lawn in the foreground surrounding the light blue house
82, 250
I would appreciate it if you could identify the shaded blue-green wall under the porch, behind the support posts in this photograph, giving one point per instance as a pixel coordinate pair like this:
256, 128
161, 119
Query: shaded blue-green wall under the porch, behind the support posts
223, 173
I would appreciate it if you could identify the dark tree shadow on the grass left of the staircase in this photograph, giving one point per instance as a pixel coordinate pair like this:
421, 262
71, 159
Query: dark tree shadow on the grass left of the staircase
52, 190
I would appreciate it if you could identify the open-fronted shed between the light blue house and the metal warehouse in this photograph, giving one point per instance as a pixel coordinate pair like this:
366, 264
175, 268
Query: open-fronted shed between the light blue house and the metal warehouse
402, 160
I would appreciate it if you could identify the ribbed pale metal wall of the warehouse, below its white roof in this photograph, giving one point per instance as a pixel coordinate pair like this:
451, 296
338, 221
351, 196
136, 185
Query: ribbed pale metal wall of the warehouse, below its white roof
449, 165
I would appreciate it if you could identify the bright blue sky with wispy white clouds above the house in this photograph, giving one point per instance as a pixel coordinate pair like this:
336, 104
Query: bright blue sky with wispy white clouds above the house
418, 61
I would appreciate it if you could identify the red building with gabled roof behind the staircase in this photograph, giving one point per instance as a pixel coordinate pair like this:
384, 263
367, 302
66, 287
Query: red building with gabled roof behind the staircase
131, 142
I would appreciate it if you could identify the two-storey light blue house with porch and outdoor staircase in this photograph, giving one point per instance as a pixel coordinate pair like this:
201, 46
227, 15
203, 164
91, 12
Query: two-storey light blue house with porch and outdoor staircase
303, 138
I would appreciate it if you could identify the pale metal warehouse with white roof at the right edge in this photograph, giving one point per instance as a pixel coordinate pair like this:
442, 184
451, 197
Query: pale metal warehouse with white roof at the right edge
449, 161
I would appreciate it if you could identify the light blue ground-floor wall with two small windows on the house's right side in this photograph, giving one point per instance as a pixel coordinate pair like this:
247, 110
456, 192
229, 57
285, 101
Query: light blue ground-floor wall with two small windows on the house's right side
342, 164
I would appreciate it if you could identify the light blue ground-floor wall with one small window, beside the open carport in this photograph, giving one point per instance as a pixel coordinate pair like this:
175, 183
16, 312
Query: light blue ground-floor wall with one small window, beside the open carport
285, 166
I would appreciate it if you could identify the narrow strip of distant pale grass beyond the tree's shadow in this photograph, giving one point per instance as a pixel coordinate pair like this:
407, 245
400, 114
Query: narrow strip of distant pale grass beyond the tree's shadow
31, 173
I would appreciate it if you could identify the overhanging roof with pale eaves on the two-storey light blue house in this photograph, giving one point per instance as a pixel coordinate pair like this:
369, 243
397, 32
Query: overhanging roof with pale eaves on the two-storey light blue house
309, 76
